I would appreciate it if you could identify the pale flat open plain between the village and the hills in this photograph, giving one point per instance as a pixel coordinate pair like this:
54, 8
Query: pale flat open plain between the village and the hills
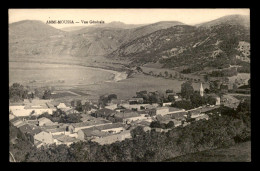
81, 77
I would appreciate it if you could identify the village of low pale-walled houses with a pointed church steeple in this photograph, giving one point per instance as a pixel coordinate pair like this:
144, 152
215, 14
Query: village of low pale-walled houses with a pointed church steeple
107, 123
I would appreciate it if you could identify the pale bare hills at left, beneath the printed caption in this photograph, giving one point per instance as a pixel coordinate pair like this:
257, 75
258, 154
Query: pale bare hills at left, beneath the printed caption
32, 38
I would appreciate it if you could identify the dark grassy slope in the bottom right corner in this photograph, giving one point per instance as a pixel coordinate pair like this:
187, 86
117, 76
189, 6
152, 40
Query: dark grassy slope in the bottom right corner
237, 153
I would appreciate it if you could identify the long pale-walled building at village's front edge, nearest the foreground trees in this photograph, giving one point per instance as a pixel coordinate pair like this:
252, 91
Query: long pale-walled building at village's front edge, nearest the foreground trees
109, 139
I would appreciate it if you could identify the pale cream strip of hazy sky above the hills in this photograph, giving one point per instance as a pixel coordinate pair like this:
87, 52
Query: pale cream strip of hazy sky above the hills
128, 16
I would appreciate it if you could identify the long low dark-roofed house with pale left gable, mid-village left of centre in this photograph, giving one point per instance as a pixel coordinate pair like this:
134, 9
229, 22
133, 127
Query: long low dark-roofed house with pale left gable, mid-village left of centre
75, 127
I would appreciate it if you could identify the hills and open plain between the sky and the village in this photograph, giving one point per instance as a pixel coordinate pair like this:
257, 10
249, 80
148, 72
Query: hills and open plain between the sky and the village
169, 46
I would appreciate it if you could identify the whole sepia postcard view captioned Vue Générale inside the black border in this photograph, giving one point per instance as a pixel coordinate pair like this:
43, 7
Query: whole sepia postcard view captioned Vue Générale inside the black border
129, 85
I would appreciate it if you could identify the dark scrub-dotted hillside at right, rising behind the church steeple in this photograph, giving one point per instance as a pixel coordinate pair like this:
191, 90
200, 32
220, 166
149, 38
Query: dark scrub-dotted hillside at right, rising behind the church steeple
189, 46
